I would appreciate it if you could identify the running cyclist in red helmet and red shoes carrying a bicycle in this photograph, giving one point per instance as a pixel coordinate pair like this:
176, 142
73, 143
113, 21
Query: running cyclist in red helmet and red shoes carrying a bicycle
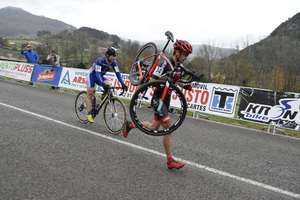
181, 50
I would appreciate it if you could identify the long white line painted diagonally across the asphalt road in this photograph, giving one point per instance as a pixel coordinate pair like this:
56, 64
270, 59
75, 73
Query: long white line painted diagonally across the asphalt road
199, 166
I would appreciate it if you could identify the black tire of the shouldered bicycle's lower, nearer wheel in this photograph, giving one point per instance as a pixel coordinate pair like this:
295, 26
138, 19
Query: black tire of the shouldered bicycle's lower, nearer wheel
136, 101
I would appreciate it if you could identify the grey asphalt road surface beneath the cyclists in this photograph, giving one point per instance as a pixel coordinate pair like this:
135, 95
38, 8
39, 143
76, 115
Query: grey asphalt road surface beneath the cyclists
45, 153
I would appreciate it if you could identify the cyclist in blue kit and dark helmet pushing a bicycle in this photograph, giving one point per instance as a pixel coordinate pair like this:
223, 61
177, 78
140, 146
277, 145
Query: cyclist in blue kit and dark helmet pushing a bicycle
96, 76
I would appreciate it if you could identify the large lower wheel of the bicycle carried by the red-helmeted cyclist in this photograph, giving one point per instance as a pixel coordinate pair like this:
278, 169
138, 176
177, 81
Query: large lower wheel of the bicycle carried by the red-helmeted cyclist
142, 112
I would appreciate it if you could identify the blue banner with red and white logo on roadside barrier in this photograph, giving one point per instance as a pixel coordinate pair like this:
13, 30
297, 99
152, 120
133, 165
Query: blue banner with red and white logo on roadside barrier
46, 74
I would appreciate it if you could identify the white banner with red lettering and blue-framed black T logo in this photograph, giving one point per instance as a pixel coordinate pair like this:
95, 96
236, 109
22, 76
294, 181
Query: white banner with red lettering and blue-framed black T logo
204, 97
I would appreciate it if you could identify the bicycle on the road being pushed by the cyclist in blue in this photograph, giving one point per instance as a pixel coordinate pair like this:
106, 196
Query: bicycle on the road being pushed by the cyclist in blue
114, 112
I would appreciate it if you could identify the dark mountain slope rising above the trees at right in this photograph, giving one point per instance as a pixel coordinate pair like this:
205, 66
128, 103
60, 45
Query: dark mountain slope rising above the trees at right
280, 48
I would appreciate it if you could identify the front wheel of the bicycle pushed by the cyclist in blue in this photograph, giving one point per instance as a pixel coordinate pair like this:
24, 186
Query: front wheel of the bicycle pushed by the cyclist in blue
114, 115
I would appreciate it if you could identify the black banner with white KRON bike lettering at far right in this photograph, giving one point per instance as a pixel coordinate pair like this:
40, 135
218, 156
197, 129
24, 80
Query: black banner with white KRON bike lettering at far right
267, 106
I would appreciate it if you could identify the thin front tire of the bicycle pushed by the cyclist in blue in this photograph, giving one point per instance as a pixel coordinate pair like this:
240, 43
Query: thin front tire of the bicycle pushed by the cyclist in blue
115, 115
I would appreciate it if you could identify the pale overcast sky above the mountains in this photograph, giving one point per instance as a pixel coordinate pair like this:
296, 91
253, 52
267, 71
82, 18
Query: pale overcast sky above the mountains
222, 22
